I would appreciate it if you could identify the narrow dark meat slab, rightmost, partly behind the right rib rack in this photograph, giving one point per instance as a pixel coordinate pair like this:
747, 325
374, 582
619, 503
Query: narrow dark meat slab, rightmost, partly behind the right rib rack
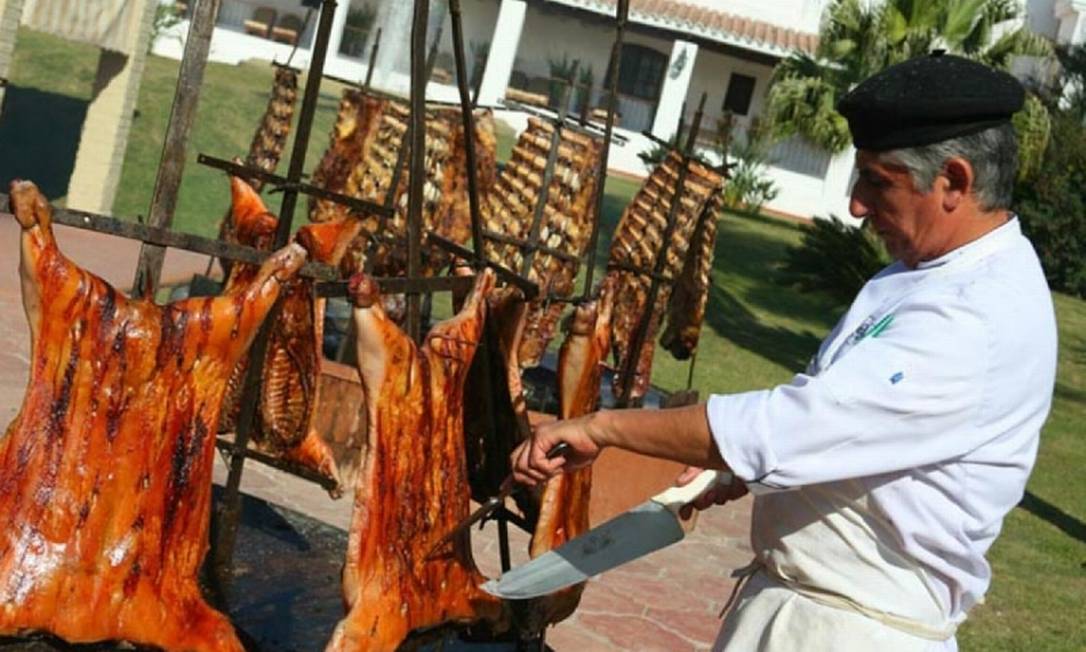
691, 292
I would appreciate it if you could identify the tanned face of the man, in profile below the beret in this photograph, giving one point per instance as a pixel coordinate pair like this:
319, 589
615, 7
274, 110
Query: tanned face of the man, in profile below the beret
905, 218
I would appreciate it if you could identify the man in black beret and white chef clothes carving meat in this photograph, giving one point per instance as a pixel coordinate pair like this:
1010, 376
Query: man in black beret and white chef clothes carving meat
882, 475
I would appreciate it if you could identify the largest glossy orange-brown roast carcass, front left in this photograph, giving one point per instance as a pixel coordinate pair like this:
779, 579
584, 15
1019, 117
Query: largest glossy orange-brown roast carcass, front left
106, 472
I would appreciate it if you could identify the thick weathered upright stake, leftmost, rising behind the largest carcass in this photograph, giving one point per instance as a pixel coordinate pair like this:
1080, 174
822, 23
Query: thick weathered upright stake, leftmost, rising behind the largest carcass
172, 162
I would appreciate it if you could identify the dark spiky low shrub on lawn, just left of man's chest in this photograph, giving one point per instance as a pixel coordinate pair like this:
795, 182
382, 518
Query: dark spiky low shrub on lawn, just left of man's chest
836, 258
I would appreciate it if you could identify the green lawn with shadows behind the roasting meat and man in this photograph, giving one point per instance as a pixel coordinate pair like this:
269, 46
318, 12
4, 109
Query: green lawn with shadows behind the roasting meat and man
757, 332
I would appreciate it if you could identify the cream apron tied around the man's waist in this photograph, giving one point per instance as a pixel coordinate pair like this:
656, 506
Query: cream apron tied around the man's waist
829, 573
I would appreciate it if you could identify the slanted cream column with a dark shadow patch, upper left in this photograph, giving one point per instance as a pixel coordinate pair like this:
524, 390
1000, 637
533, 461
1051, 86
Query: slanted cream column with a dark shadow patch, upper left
105, 140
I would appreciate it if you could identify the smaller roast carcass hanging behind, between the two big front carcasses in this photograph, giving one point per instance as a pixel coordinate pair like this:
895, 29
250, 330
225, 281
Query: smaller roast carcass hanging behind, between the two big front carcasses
291, 379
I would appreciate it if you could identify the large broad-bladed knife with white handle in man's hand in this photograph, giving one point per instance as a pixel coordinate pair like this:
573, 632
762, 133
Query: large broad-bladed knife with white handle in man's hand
647, 529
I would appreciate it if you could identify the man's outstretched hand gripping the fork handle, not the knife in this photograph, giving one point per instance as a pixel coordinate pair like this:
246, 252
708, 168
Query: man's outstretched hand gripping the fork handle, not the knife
531, 466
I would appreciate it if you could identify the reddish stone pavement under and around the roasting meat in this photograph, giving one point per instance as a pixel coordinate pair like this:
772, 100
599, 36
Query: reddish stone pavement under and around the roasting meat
668, 601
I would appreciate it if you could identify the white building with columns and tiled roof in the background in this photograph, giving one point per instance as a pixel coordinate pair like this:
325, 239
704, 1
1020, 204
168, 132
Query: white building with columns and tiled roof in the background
676, 51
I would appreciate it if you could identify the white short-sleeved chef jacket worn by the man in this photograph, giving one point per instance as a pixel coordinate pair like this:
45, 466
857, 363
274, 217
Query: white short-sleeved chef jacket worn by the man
926, 403
